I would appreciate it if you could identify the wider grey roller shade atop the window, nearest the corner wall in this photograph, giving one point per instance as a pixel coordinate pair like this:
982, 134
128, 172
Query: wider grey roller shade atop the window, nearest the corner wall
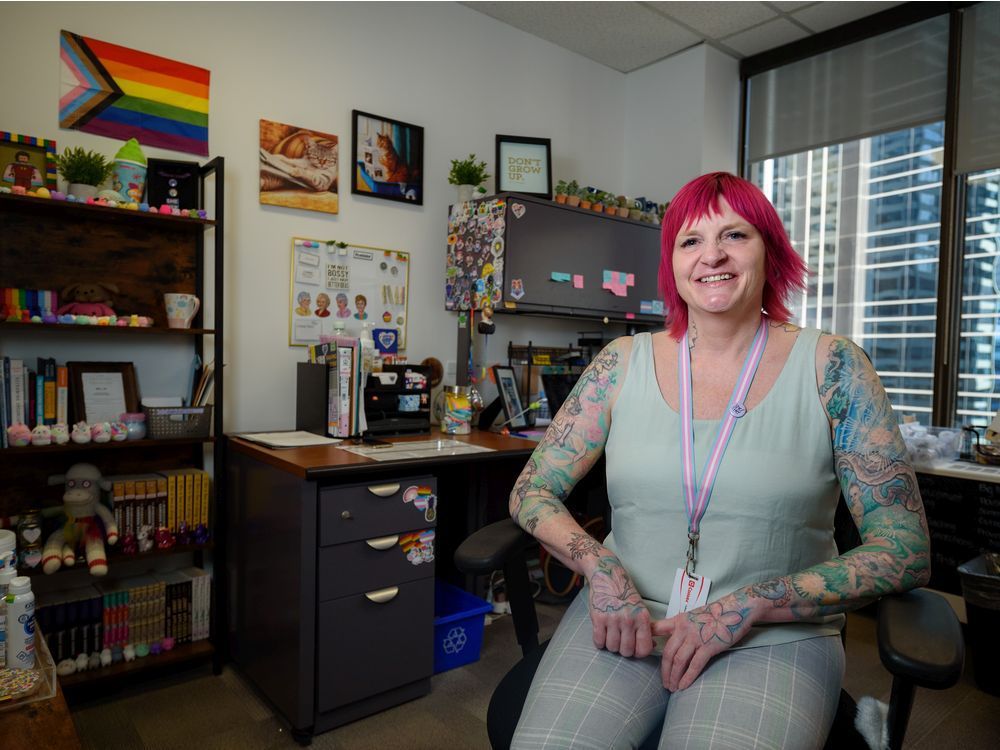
889, 82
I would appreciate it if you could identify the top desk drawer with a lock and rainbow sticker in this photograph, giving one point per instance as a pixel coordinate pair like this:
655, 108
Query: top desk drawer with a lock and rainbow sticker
365, 511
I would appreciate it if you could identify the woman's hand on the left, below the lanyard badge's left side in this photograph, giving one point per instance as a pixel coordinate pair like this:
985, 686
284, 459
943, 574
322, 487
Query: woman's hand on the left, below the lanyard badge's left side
619, 617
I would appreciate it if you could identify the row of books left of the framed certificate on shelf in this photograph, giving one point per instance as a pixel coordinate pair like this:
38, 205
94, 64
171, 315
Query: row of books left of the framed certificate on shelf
33, 397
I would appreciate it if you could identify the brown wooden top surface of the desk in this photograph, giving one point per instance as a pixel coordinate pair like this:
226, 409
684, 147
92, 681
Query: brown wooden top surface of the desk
328, 461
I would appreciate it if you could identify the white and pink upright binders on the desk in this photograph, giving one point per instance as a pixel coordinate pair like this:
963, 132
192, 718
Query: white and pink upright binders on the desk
345, 403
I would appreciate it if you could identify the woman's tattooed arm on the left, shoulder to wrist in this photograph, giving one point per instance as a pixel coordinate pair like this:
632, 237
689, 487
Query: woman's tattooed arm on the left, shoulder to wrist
572, 444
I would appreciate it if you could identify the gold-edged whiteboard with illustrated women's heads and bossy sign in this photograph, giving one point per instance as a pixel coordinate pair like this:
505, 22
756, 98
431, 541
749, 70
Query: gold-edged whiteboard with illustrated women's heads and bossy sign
337, 283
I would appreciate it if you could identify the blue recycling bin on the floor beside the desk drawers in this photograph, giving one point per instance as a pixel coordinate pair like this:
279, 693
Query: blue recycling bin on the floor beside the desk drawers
459, 619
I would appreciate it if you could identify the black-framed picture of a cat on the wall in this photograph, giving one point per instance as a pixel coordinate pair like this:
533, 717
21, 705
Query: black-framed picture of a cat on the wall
387, 158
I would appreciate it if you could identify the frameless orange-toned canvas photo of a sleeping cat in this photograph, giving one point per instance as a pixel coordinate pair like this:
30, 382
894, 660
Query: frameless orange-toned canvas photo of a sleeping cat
298, 167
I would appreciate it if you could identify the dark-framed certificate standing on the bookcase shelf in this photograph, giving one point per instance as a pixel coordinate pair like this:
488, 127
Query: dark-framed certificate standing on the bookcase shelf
101, 391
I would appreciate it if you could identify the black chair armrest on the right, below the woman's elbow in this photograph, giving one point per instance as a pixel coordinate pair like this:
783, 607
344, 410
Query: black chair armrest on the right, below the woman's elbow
920, 639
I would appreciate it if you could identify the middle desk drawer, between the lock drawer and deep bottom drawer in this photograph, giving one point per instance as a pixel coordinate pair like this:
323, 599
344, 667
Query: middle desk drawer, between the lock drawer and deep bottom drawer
375, 563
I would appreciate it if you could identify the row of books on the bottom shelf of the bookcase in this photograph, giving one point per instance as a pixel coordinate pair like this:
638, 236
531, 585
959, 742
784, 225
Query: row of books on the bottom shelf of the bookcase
142, 609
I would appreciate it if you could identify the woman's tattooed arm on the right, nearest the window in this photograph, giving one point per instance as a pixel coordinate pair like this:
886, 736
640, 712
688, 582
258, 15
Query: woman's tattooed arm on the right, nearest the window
881, 492
